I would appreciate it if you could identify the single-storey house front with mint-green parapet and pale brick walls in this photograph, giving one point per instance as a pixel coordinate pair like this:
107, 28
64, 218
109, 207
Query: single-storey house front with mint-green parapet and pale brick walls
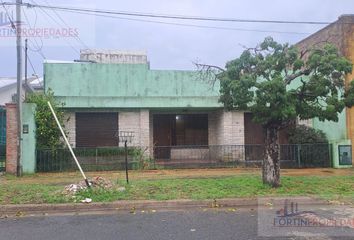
161, 107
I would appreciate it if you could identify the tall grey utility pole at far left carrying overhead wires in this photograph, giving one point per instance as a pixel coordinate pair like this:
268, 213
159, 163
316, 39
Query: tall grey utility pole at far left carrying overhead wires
19, 86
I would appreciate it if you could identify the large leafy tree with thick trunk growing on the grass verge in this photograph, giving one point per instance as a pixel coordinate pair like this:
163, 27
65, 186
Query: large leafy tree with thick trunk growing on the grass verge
278, 85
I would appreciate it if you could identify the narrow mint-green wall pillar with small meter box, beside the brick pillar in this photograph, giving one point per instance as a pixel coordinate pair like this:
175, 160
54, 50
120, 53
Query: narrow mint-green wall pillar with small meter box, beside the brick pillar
28, 156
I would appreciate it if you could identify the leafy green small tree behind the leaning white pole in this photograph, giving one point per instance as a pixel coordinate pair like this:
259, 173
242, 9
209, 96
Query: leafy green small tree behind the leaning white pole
47, 132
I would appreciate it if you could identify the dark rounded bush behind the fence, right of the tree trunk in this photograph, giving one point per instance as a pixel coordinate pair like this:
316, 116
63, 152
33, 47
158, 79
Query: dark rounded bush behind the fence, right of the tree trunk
303, 134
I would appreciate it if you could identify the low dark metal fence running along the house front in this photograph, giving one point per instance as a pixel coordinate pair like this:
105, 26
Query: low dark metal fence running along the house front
101, 159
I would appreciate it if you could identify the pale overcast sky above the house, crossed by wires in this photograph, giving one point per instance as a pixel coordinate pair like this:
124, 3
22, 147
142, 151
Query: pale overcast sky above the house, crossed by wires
167, 46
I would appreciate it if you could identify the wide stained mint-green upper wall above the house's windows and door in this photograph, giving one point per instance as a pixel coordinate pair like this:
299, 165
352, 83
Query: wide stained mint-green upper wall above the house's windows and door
94, 85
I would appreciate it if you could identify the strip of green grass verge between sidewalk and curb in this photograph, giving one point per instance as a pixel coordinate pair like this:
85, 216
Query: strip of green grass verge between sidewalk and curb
328, 187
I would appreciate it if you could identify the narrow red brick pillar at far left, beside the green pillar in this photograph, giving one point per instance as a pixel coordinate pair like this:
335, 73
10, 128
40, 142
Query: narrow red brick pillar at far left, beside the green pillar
11, 138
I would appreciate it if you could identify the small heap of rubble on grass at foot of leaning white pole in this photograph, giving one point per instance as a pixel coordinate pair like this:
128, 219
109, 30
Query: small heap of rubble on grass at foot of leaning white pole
95, 182
